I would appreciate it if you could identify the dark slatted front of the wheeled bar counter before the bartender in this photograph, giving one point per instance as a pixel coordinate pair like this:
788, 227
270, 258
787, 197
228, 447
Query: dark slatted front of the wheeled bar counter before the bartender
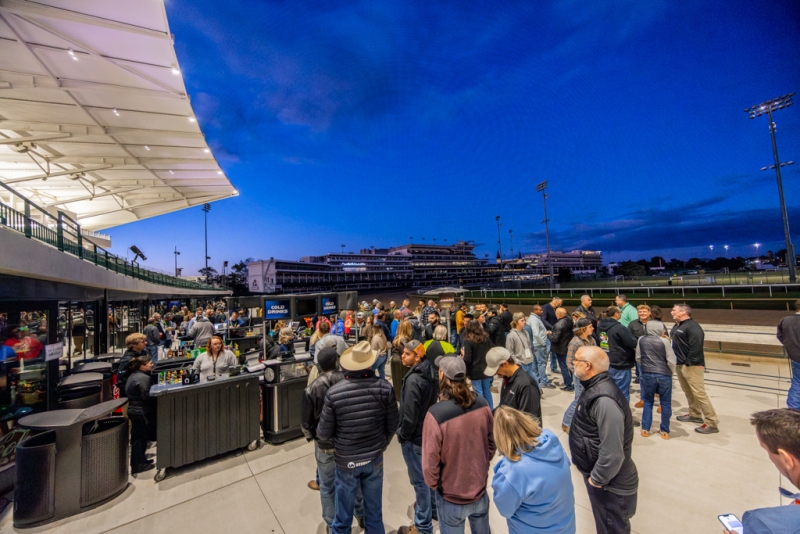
205, 419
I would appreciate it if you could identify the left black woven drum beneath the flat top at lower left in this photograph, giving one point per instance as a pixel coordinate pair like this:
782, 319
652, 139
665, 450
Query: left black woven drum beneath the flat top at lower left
34, 493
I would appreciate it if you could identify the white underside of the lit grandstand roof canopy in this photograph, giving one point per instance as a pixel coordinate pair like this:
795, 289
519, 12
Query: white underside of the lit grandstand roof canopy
95, 85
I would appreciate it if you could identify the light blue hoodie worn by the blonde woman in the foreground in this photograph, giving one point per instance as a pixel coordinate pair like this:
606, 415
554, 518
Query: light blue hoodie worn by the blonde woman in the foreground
536, 493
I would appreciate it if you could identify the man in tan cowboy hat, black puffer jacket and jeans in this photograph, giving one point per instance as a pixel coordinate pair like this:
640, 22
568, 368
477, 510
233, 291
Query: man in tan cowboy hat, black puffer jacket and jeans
360, 417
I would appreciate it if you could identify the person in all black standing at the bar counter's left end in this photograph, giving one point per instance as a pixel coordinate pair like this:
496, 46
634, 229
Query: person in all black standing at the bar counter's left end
141, 412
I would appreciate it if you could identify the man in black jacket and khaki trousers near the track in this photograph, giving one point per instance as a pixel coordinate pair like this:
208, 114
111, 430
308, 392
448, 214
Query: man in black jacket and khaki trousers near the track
687, 342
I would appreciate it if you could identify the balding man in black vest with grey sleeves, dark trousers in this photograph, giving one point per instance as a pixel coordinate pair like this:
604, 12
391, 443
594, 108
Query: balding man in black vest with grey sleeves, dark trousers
600, 440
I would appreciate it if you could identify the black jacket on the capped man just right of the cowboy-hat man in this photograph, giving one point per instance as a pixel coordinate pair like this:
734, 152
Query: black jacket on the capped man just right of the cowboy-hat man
418, 395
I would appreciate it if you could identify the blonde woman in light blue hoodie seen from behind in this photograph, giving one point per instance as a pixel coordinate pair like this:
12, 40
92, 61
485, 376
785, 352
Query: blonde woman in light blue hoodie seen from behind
532, 482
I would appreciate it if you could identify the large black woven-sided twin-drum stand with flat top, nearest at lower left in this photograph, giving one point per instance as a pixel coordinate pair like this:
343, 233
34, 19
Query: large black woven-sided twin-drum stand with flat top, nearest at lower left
78, 461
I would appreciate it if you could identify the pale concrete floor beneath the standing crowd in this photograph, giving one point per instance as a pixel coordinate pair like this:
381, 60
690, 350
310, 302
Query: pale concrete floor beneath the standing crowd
685, 482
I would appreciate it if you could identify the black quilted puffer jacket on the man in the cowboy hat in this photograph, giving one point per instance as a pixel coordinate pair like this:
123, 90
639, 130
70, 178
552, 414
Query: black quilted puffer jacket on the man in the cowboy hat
359, 416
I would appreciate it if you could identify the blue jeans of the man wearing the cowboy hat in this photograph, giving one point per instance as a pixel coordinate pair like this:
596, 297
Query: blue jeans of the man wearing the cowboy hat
369, 479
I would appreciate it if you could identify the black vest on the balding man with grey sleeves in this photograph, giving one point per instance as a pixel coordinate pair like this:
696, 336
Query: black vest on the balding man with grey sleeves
584, 437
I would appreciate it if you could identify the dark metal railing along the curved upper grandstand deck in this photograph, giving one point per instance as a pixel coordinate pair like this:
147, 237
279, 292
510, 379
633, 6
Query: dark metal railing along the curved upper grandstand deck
66, 235
